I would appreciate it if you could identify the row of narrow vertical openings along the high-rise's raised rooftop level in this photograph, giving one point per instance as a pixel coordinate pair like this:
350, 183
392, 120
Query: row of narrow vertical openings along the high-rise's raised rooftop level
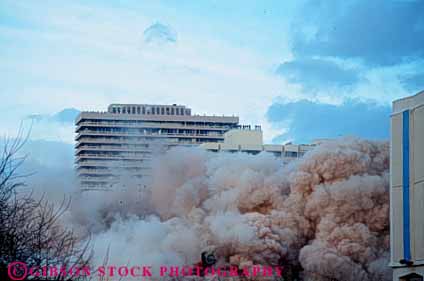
151, 110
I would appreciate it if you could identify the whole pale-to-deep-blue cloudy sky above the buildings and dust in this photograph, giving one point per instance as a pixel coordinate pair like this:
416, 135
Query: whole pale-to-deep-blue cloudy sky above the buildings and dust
249, 58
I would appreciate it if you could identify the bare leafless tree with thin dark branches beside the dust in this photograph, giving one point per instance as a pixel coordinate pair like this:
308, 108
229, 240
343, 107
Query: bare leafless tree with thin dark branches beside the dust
30, 229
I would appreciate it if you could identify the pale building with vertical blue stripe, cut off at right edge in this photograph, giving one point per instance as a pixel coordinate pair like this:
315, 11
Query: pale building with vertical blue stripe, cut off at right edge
407, 189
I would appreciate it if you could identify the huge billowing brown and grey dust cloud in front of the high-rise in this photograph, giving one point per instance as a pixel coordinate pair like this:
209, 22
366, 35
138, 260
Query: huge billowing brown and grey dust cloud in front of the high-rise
324, 215
